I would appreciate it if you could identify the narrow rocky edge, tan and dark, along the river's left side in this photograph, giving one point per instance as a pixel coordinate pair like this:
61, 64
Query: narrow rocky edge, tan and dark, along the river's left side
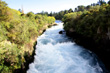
30, 57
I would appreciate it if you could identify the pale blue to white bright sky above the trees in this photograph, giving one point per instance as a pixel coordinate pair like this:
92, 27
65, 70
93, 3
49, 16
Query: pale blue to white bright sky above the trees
37, 6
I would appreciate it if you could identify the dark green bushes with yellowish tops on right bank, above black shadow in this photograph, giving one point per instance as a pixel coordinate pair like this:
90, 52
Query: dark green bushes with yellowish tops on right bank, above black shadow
92, 23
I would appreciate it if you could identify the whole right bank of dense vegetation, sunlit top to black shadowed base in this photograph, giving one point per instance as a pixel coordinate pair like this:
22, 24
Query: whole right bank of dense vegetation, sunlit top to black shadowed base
90, 28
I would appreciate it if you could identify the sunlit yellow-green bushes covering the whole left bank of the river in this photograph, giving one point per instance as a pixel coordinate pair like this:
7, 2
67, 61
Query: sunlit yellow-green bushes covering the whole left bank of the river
18, 32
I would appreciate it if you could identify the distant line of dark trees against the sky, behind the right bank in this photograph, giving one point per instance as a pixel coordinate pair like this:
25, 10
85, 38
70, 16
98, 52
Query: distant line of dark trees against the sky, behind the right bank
59, 15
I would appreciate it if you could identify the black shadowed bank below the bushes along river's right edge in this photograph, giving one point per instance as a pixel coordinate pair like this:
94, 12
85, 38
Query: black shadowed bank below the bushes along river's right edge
101, 49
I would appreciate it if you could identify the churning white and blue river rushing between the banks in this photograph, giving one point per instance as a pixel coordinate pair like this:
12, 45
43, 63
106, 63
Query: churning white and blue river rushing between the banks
55, 53
